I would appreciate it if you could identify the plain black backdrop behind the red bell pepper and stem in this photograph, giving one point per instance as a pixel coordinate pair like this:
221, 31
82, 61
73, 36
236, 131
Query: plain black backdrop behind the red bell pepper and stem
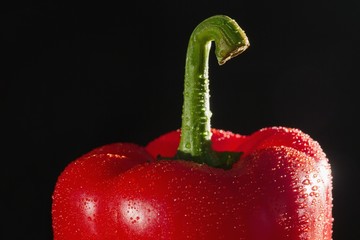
80, 75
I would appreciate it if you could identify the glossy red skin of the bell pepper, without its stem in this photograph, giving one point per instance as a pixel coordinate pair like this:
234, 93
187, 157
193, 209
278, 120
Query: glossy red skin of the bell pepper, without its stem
281, 188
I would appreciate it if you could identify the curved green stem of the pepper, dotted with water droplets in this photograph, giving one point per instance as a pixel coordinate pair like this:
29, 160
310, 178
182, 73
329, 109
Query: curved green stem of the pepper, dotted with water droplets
230, 41
